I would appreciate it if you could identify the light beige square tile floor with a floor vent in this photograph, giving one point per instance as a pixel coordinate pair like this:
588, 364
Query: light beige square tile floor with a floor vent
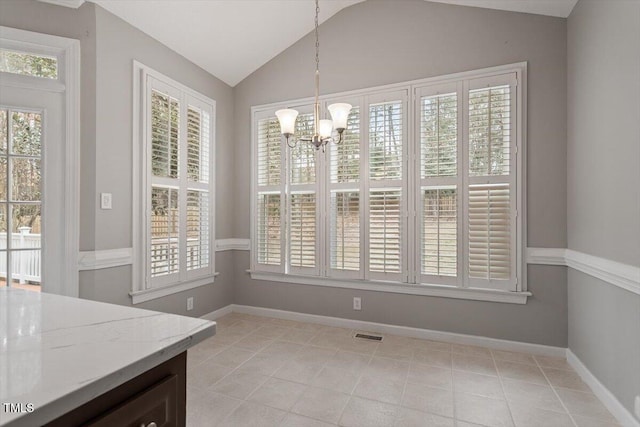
260, 371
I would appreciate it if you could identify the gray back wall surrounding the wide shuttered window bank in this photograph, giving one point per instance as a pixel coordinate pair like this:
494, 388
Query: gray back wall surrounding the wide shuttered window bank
381, 42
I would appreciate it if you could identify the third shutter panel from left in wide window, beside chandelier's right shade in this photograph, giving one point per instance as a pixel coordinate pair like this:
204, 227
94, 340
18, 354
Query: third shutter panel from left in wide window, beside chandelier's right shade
345, 251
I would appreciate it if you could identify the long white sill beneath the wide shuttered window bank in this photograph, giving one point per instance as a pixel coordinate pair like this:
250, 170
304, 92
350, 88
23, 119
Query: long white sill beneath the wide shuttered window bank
400, 288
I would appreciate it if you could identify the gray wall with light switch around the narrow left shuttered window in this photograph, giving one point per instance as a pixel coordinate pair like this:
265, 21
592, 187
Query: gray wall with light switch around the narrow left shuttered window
118, 44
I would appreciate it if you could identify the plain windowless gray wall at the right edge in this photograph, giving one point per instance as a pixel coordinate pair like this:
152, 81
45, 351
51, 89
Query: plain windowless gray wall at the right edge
603, 176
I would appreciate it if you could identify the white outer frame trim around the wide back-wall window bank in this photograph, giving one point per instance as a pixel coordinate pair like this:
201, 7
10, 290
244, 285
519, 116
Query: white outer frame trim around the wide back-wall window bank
519, 296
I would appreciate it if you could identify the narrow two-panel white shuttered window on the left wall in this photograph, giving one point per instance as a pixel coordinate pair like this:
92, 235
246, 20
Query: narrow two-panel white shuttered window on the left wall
177, 148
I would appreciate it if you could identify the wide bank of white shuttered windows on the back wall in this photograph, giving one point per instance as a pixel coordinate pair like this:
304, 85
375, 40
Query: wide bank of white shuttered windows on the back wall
422, 196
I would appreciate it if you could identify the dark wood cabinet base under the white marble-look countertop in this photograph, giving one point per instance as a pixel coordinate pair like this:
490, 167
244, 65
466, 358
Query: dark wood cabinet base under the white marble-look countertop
156, 398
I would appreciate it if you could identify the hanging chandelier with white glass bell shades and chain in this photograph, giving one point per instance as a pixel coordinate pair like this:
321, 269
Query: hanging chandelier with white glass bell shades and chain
322, 129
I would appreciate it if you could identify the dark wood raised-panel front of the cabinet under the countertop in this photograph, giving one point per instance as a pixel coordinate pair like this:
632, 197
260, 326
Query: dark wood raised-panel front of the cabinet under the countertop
157, 404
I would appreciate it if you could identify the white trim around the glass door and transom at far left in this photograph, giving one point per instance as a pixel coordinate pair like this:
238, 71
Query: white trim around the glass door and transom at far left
68, 53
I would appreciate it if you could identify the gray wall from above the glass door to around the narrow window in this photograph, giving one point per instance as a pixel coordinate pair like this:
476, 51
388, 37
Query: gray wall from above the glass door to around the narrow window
108, 47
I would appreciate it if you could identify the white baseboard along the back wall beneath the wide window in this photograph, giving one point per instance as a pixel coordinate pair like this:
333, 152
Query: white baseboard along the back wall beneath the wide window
407, 331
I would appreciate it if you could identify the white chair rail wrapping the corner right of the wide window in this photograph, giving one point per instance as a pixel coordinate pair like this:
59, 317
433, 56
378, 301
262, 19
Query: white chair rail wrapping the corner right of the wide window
624, 276
